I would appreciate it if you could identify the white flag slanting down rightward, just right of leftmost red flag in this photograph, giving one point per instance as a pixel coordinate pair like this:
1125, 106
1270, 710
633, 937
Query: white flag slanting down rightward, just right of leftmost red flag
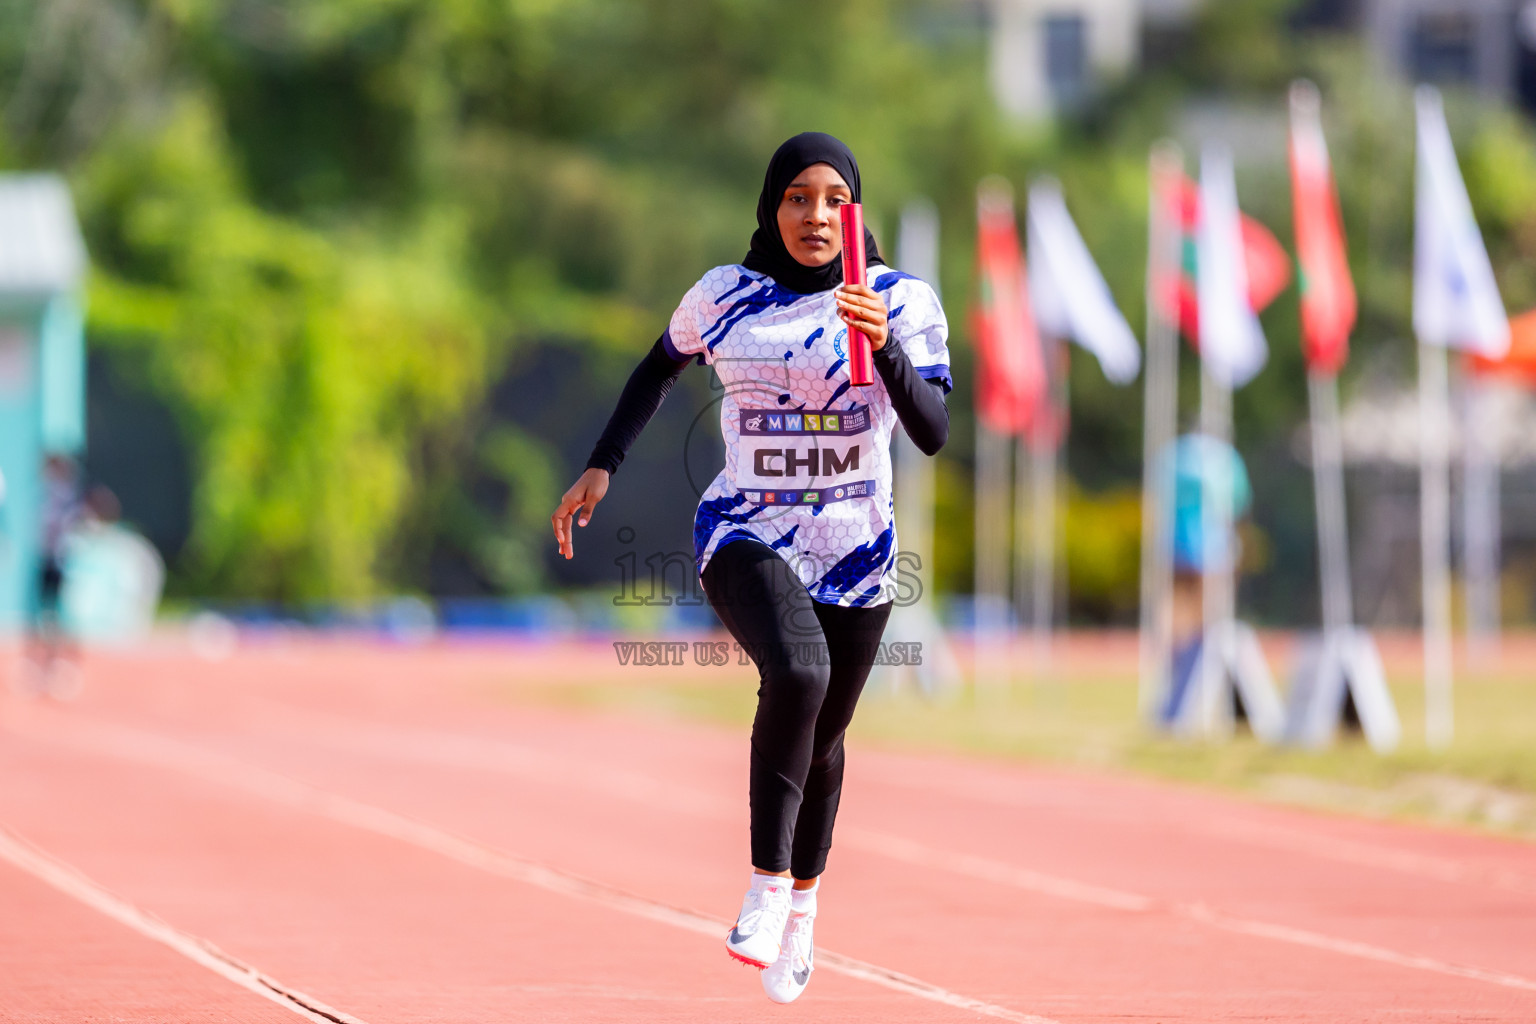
1068, 292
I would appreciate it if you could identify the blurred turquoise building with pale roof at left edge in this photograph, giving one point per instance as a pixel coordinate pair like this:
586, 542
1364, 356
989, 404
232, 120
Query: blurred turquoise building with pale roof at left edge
42, 369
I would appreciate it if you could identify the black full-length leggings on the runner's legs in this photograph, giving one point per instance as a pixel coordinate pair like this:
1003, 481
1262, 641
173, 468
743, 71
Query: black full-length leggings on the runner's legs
813, 661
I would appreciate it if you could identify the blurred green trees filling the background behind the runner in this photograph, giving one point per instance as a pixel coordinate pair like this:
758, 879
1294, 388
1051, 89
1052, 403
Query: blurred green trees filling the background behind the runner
334, 231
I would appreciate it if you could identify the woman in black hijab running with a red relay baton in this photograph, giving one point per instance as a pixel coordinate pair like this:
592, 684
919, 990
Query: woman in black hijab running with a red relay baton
795, 538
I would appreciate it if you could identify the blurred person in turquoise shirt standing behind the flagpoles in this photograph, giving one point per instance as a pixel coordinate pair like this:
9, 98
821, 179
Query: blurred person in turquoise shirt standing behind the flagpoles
1202, 466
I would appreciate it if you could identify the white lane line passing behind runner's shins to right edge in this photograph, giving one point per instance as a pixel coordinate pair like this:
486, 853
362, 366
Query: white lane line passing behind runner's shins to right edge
474, 753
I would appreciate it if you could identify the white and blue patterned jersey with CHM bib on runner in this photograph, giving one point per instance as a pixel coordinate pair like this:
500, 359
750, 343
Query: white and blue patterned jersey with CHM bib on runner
807, 455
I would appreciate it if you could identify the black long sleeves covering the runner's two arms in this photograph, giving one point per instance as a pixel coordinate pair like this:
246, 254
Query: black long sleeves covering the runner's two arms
919, 403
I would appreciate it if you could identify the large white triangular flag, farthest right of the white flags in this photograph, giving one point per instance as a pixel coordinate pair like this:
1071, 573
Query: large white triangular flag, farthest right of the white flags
1455, 299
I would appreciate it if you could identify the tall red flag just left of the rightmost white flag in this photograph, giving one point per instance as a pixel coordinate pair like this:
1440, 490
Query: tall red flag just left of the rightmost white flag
1328, 294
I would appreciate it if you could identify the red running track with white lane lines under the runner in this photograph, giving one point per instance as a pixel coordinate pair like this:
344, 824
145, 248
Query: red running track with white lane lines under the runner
340, 831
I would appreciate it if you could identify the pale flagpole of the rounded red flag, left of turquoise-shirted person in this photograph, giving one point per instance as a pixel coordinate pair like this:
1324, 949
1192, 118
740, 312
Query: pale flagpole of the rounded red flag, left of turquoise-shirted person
1160, 417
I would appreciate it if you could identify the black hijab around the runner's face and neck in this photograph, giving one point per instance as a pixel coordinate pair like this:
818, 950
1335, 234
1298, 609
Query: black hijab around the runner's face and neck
769, 254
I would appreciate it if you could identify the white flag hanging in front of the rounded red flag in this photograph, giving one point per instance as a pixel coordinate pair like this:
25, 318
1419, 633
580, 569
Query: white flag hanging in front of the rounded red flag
1231, 340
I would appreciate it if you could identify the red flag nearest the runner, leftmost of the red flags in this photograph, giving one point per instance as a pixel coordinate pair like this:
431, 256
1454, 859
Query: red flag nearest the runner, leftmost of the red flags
1011, 375
